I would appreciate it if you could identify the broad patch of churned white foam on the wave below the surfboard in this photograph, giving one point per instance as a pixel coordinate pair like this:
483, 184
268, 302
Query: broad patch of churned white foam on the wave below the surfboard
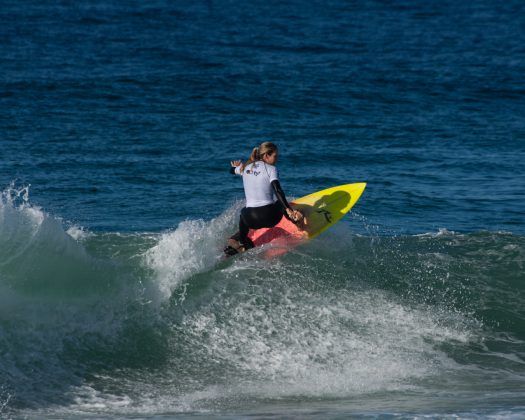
312, 345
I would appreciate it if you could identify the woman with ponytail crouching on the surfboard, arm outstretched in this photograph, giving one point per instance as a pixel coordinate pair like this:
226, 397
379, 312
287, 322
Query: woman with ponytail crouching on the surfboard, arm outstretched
261, 183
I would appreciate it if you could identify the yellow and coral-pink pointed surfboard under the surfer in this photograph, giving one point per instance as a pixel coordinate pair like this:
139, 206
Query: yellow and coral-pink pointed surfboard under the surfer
321, 210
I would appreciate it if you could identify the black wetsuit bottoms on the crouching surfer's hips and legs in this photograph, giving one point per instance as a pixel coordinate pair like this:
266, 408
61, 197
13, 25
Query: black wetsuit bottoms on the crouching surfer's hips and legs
257, 218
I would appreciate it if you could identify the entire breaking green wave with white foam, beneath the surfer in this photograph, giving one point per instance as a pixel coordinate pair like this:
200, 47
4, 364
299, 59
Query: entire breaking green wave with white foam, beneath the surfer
143, 324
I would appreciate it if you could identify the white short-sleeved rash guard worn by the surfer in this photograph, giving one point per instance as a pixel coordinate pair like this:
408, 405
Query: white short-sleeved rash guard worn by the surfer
257, 178
